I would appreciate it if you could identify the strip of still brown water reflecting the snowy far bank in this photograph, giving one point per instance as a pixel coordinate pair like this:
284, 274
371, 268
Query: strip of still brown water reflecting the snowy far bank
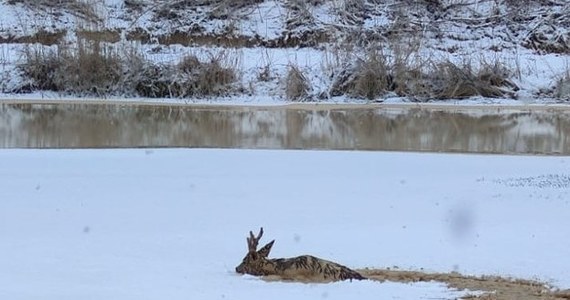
475, 129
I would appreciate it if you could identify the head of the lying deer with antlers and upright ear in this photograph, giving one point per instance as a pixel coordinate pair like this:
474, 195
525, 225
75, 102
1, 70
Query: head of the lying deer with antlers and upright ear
255, 260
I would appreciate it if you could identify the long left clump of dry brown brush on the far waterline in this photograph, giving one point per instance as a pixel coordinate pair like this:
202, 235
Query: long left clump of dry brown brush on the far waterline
97, 70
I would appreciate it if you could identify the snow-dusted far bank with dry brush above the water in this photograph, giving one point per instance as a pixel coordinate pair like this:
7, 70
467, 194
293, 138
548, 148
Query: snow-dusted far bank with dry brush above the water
306, 50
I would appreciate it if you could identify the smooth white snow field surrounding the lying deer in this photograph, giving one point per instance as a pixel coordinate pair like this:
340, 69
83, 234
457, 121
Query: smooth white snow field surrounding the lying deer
171, 224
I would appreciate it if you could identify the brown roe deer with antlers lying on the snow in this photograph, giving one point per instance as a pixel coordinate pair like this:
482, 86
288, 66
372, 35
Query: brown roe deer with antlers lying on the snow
303, 267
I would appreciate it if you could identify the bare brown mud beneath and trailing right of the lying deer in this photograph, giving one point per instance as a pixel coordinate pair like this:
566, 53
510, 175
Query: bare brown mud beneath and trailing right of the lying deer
487, 287
